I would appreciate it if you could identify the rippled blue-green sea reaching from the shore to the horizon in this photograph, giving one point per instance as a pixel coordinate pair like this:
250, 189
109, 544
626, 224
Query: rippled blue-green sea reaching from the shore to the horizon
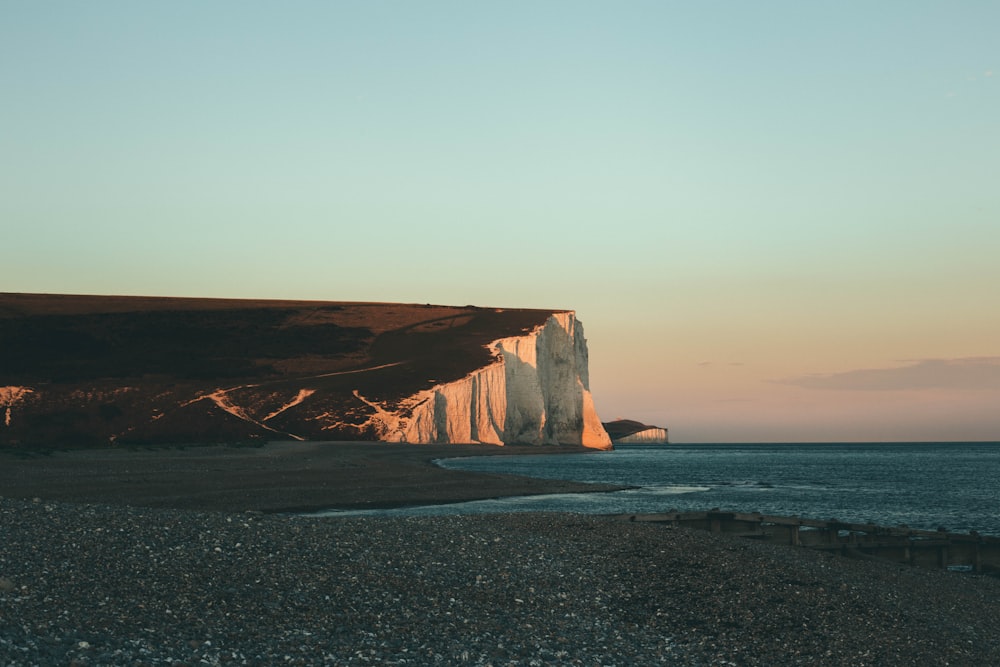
927, 486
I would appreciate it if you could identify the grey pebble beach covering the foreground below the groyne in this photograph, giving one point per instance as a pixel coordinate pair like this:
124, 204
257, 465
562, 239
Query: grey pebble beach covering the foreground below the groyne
85, 584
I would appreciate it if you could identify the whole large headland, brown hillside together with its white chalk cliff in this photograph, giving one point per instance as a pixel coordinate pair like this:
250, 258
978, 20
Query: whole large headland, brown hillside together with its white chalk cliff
96, 370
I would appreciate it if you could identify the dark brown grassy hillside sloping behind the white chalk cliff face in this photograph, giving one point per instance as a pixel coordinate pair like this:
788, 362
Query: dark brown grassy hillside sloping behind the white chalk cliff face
138, 369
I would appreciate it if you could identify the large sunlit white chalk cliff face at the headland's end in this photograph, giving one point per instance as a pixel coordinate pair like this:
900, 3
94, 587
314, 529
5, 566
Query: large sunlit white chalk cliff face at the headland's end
536, 391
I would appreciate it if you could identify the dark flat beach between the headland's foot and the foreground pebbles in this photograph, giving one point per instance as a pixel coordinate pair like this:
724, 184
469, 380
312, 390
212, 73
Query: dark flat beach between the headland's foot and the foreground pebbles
276, 477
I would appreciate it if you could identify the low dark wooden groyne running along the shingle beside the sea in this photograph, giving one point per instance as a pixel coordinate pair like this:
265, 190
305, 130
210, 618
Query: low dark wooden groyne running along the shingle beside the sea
969, 552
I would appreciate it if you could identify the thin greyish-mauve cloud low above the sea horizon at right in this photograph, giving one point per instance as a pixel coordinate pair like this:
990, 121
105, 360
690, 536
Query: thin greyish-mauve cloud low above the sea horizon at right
965, 373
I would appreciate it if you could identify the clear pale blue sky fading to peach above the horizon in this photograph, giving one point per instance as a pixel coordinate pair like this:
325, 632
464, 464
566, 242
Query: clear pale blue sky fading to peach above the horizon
777, 221
